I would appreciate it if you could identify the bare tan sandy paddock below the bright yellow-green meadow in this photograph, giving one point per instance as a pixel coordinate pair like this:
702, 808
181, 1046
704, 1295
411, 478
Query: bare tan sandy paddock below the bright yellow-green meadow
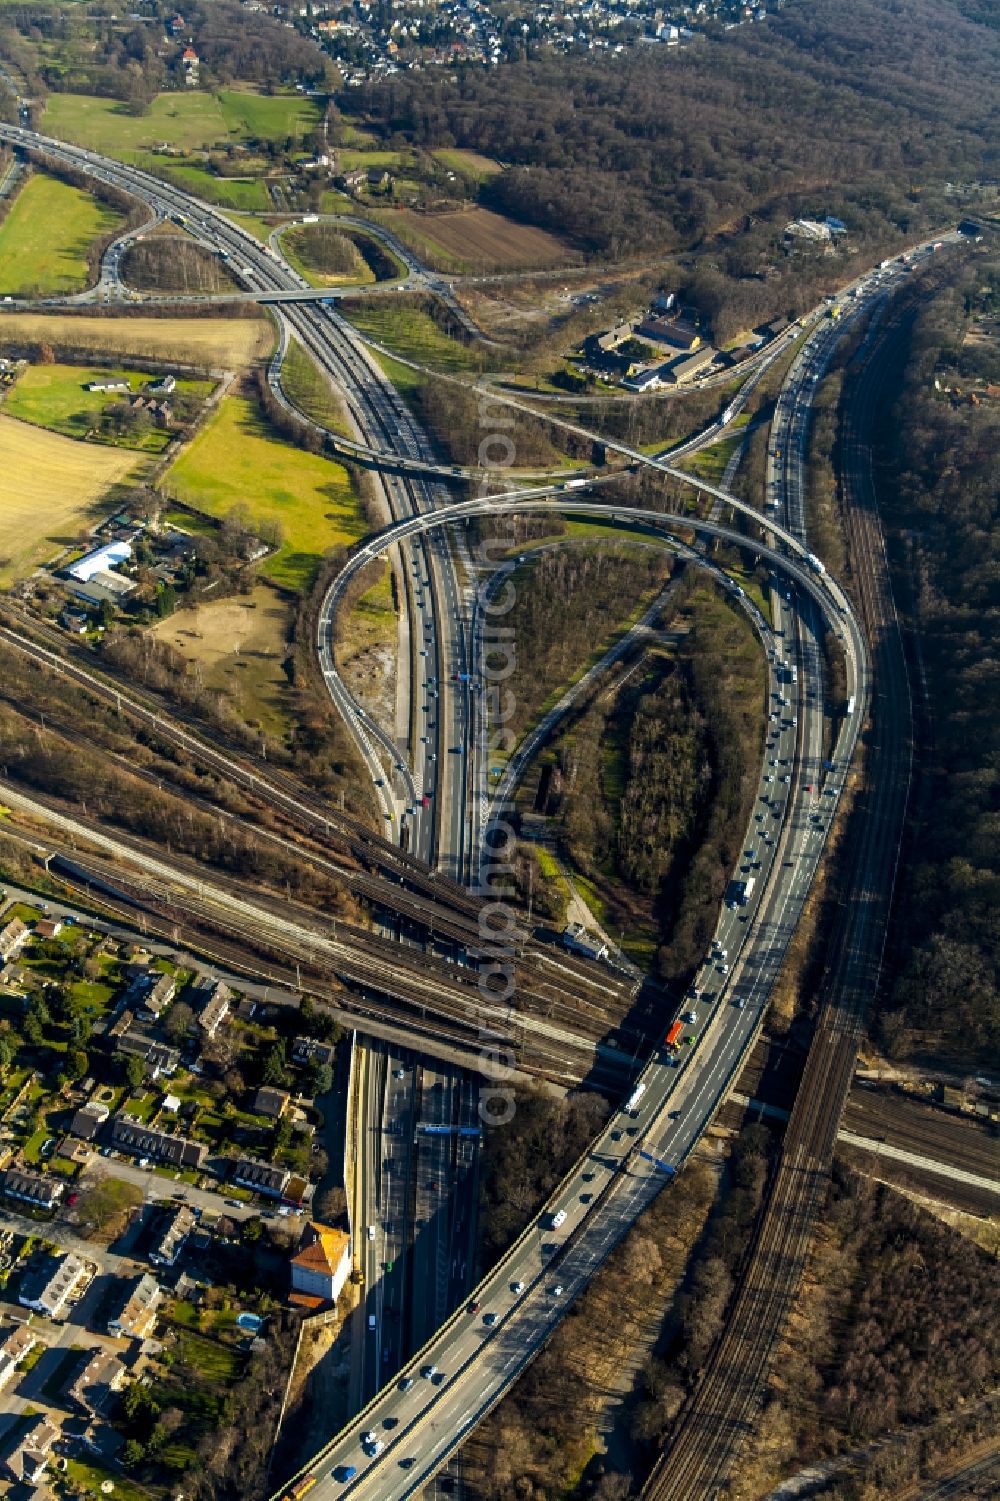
241, 646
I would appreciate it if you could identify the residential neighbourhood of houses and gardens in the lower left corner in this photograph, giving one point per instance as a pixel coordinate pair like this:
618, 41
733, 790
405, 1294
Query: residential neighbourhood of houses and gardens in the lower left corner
163, 1158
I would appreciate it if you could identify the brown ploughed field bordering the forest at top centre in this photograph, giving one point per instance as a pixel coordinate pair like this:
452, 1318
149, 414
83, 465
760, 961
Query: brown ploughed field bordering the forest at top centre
480, 241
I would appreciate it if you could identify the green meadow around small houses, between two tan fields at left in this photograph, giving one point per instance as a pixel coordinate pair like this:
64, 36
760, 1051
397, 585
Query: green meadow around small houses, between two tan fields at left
53, 397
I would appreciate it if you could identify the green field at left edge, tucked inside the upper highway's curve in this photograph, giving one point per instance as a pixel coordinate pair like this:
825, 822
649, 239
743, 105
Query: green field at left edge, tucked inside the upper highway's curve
46, 238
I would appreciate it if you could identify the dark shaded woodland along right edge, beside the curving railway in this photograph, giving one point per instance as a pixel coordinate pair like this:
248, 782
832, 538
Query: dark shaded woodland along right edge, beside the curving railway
942, 507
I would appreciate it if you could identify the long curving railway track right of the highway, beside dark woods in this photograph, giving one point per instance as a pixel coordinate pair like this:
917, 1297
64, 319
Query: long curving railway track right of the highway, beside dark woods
723, 1410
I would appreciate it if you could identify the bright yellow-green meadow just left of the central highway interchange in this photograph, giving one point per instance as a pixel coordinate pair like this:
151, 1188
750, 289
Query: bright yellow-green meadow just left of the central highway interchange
238, 460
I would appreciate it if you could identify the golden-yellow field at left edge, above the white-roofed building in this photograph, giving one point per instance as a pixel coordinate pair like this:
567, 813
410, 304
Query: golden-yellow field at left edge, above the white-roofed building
58, 492
